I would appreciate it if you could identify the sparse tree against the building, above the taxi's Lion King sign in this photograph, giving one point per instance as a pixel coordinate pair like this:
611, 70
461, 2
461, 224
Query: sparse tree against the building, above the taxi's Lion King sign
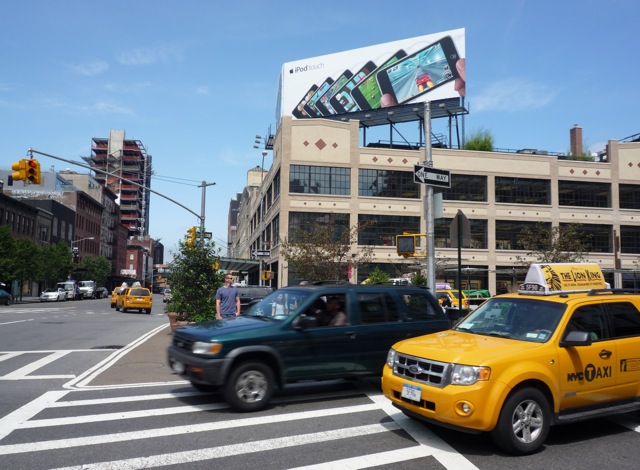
561, 244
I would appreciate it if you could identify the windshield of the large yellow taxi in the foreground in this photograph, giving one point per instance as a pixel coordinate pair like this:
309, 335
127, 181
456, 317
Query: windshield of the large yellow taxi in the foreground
533, 320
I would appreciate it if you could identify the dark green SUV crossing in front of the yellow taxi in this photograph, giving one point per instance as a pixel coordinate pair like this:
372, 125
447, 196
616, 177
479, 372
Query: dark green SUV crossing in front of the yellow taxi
302, 333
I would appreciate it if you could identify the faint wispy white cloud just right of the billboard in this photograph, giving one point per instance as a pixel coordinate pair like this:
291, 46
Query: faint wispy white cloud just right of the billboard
514, 94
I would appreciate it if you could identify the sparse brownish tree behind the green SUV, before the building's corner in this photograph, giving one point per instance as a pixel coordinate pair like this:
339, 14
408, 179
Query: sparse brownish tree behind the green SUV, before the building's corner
321, 252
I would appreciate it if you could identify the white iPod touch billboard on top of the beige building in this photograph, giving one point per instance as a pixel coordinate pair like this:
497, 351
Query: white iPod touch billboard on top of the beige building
414, 70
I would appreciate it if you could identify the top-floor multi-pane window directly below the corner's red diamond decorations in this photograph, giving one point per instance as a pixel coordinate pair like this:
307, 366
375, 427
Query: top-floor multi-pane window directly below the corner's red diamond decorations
319, 180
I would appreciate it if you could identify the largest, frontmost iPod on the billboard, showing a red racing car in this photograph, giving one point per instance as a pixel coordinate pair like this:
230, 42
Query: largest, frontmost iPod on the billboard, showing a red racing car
420, 72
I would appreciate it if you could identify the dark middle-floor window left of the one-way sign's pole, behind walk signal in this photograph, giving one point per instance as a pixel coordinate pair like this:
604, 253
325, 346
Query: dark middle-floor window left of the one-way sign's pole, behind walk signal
381, 230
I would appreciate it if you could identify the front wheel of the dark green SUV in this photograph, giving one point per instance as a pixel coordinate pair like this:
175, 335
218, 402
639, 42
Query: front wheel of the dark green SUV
250, 386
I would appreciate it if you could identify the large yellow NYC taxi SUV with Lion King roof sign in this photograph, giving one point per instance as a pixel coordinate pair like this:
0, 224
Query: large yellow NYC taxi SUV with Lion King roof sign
564, 348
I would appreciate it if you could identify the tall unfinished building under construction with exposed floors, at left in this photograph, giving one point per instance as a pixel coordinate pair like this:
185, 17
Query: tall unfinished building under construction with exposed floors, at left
124, 166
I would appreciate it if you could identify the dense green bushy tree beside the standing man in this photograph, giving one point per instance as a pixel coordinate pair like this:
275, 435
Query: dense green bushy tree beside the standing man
194, 280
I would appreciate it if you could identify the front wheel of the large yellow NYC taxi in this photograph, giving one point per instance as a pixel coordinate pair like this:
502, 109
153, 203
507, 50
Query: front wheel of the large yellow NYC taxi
524, 422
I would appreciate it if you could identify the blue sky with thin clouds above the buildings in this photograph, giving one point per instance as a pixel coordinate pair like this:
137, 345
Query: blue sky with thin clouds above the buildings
195, 81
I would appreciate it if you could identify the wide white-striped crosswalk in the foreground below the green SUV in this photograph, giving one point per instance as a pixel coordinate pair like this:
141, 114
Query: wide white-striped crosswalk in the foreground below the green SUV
120, 429
